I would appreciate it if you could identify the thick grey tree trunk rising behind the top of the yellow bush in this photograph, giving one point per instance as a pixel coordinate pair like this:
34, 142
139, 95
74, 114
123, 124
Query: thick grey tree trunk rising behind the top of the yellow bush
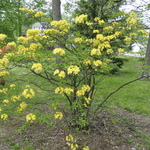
56, 9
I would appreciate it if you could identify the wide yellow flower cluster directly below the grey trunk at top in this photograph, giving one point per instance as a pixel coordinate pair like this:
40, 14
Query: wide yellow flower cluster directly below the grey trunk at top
61, 24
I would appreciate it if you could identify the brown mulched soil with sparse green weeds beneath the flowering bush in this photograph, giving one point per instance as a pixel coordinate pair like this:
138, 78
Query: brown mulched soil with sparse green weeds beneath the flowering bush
116, 129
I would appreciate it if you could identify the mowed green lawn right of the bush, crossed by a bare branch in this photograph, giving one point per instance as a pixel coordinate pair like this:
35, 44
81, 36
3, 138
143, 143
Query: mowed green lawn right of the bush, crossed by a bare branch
134, 97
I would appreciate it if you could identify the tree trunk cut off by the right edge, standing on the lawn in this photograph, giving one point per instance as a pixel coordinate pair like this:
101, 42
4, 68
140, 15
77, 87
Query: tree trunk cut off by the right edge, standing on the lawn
146, 70
